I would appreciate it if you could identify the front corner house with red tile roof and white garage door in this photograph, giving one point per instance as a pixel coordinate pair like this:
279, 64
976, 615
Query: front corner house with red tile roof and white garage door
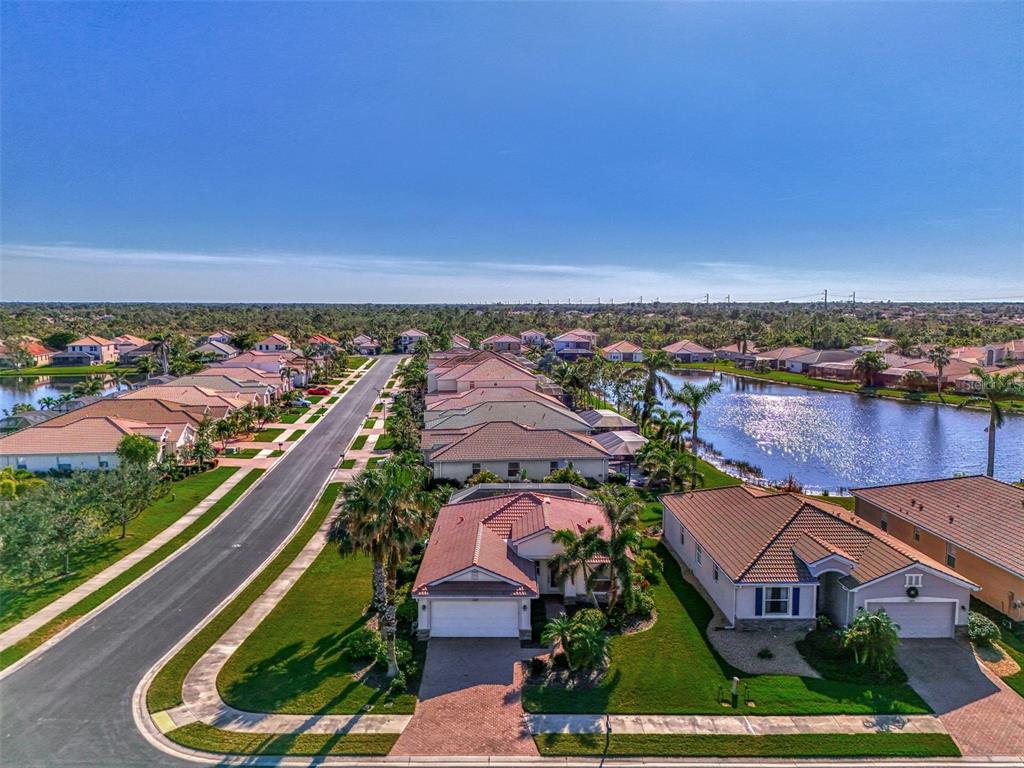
487, 561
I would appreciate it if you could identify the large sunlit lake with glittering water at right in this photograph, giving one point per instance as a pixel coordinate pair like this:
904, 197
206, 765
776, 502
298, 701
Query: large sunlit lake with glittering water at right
834, 441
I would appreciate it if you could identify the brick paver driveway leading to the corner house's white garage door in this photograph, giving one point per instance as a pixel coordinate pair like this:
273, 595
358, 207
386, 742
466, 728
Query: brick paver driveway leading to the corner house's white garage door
470, 702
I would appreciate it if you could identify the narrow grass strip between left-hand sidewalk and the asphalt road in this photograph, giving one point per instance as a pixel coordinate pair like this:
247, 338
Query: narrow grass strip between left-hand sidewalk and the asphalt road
83, 607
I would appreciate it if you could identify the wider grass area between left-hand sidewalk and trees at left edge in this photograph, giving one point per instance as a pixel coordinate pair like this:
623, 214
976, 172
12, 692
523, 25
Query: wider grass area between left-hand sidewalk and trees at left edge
20, 603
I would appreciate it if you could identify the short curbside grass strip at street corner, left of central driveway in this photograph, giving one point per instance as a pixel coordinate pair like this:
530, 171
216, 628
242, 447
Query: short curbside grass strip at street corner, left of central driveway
208, 739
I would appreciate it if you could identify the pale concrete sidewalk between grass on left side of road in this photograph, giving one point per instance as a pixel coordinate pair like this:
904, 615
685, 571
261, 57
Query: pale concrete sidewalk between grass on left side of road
45, 616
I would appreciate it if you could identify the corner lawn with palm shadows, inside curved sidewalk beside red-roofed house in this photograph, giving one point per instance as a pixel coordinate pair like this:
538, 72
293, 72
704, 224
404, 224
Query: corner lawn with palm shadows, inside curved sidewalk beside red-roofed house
294, 662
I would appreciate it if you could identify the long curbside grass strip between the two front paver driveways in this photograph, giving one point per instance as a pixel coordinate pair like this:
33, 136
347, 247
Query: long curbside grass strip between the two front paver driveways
783, 746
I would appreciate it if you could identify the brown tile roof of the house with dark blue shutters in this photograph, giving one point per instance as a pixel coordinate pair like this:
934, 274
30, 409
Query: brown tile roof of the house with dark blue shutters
760, 538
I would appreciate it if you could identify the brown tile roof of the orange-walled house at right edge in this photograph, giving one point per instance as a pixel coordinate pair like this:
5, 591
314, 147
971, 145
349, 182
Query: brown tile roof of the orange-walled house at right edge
976, 514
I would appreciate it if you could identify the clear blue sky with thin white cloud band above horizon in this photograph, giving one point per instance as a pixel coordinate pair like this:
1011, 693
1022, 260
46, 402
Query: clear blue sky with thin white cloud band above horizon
345, 152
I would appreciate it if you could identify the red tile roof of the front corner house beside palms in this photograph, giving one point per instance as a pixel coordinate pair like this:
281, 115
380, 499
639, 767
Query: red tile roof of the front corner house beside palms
482, 533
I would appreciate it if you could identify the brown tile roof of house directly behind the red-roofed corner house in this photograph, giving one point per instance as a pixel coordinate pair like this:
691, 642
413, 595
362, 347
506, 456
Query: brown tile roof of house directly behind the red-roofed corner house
503, 441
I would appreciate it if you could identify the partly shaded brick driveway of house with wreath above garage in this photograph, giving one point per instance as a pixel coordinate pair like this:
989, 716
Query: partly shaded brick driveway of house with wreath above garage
983, 715
